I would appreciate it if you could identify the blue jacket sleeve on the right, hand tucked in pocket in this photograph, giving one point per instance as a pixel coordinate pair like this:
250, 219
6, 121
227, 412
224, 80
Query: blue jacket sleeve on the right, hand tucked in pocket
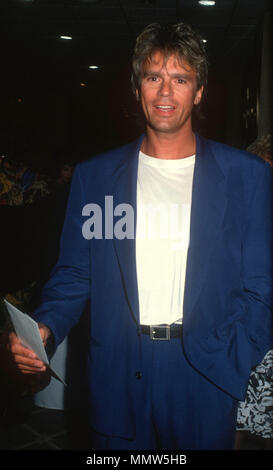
257, 255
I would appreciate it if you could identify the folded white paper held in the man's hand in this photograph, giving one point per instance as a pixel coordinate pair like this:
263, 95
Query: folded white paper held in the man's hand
28, 333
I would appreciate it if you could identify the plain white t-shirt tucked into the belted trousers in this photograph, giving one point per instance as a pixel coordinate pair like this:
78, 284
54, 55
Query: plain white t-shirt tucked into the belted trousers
164, 191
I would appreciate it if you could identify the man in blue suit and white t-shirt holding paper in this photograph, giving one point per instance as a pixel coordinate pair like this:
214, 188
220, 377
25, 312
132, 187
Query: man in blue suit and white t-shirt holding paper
181, 304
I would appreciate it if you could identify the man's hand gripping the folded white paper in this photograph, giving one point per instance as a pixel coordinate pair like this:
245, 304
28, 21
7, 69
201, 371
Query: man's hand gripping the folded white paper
23, 358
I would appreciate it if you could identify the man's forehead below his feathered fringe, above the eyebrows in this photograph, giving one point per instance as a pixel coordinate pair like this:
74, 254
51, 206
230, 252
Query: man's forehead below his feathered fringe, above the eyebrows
159, 60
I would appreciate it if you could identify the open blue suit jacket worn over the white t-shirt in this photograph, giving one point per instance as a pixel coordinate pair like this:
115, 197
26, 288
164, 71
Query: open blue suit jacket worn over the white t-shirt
228, 292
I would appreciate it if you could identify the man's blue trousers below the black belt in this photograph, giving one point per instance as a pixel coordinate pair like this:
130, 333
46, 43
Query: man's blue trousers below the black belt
176, 407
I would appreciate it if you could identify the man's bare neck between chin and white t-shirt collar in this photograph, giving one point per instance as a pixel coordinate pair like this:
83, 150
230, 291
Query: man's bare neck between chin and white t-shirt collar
168, 146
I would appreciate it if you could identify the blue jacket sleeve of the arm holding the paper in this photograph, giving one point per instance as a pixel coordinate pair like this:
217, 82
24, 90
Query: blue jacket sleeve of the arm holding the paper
65, 294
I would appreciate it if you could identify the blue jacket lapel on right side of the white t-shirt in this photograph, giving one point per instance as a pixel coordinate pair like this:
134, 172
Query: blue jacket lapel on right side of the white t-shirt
207, 213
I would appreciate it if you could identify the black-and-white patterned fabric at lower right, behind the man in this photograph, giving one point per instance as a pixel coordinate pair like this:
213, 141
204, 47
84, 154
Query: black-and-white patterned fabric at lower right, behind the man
255, 414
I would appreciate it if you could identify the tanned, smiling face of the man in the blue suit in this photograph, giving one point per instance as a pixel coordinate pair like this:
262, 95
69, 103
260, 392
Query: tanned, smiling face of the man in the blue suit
168, 92
